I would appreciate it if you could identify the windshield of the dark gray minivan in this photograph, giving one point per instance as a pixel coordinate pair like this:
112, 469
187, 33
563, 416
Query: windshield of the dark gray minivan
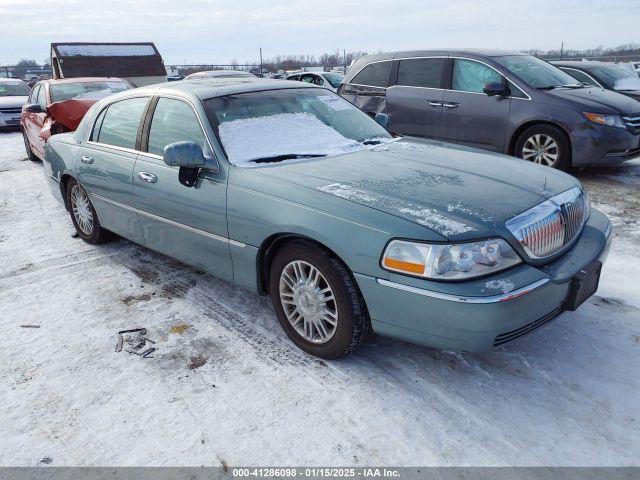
536, 72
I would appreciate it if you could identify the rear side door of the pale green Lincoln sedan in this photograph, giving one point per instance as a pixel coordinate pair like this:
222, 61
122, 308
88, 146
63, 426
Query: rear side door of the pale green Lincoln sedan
105, 165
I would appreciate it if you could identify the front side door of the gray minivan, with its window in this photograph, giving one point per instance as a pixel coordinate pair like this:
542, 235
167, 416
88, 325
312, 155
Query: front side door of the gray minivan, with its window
470, 116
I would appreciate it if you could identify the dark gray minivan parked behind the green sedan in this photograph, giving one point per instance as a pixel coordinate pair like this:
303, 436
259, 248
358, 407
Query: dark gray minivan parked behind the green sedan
502, 101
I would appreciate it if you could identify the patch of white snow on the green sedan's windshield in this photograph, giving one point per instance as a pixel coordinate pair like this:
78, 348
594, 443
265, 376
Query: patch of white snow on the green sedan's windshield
248, 139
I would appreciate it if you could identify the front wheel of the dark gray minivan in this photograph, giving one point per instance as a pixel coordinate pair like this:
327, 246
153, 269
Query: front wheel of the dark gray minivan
545, 145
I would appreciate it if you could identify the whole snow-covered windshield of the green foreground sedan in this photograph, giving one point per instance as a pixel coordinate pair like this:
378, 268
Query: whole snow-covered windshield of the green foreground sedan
290, 123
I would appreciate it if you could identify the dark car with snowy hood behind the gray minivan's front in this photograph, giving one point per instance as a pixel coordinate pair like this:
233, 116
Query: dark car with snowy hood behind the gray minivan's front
604, 75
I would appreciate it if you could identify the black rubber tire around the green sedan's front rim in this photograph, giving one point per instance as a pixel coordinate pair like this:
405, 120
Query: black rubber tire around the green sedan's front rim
353, 326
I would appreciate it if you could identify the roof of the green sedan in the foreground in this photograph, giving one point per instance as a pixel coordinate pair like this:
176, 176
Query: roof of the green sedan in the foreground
205, 88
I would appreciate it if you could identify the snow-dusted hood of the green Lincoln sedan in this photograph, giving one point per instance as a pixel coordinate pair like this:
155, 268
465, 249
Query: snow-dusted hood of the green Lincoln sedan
455, 191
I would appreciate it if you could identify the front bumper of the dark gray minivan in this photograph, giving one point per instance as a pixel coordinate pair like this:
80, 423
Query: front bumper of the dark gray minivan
603, 146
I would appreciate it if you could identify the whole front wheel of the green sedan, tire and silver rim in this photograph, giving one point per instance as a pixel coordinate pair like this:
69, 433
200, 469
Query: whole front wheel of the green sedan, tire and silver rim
317, 301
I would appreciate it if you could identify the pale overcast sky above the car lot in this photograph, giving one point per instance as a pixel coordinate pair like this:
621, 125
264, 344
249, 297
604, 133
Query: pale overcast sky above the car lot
212, 31
